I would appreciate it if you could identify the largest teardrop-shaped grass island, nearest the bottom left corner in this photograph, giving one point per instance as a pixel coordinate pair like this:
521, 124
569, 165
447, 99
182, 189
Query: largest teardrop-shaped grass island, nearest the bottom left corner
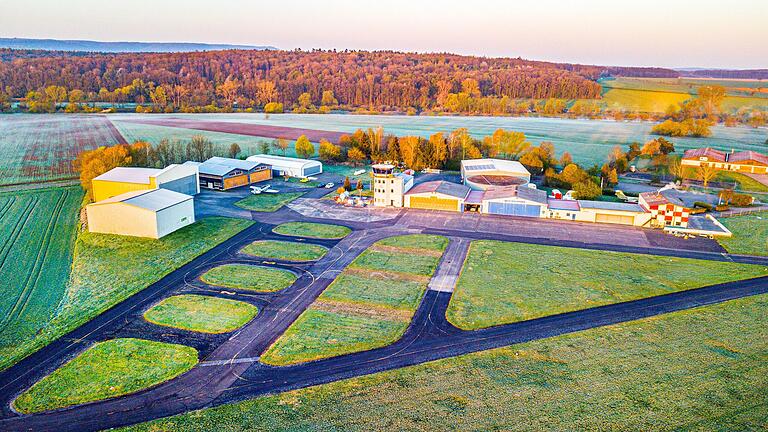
106, 370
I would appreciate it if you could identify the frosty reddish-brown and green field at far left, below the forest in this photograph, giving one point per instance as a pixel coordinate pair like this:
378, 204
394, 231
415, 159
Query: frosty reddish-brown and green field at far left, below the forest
39, 147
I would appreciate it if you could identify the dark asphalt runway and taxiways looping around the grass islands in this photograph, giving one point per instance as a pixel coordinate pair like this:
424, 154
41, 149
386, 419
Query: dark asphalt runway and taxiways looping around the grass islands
230, 369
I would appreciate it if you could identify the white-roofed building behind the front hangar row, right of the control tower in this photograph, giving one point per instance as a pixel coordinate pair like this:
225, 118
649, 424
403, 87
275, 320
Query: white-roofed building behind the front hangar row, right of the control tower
481, 174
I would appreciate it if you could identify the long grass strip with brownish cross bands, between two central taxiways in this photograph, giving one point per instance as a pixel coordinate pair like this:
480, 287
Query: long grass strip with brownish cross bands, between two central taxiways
366, 307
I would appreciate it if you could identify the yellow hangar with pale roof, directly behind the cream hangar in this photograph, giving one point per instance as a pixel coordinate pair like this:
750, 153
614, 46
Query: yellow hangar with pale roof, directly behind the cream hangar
178, 178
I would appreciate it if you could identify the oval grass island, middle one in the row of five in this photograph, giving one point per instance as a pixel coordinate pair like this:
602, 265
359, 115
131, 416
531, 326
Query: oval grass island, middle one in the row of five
249, 277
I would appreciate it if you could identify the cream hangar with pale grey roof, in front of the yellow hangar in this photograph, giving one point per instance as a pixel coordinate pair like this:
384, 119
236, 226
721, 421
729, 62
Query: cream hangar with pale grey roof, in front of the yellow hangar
148, 213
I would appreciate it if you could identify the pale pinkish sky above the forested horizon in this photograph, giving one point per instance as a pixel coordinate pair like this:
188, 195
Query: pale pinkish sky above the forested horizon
668, 33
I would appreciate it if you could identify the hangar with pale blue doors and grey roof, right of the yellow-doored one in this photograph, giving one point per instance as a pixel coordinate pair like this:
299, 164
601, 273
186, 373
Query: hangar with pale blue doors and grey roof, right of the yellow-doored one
515, 201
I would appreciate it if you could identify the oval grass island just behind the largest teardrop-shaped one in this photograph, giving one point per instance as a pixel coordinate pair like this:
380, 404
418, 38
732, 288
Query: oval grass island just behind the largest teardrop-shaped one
204, 314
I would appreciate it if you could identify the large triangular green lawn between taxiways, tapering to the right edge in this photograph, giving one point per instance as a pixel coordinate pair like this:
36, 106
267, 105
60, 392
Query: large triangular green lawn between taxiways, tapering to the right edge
507, 282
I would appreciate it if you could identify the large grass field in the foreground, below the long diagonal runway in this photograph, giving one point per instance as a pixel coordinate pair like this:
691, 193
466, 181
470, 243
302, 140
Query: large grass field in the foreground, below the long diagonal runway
699, 369
